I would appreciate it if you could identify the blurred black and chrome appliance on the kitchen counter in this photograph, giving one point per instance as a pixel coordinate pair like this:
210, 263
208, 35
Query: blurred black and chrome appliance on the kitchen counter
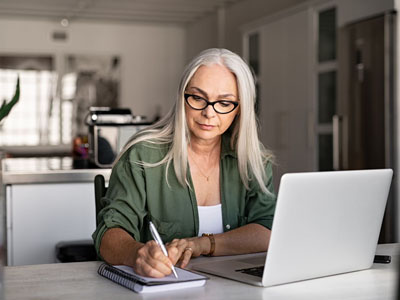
109, 130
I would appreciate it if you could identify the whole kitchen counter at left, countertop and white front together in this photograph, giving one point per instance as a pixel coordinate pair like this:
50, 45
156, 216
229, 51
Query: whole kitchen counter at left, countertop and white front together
47, 201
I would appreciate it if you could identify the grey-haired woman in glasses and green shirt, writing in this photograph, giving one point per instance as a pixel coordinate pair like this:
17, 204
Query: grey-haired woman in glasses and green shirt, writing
200, 175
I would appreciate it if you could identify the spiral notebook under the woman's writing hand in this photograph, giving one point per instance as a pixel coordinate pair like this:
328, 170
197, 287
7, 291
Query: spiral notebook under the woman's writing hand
126, 276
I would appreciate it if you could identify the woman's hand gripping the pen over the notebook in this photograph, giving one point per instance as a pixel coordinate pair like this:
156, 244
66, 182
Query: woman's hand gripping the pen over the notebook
150, 260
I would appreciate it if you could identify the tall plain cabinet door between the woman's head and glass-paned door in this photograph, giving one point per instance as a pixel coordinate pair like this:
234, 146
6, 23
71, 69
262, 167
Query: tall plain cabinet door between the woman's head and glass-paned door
285, 99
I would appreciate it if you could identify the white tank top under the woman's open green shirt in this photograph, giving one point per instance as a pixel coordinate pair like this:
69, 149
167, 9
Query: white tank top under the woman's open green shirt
210, 219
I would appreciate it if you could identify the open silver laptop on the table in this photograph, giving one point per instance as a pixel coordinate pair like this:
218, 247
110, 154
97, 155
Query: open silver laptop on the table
325, 223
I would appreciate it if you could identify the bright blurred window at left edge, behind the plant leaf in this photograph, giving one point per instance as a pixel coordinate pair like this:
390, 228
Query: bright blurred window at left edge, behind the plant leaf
38, 119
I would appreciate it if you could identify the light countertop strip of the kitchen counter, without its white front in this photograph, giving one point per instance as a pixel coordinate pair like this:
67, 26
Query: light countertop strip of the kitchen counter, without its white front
46, 170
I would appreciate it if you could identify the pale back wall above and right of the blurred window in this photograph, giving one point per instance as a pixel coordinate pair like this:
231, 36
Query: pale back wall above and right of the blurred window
152, 56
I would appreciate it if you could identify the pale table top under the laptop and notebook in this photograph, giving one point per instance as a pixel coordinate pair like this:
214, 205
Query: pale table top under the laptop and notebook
80, 281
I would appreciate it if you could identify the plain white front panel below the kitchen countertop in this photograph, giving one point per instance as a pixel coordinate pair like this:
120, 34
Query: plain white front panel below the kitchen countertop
41, 215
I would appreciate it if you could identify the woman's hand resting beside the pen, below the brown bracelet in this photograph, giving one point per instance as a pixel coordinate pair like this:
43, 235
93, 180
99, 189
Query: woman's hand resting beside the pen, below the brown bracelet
187, 248
